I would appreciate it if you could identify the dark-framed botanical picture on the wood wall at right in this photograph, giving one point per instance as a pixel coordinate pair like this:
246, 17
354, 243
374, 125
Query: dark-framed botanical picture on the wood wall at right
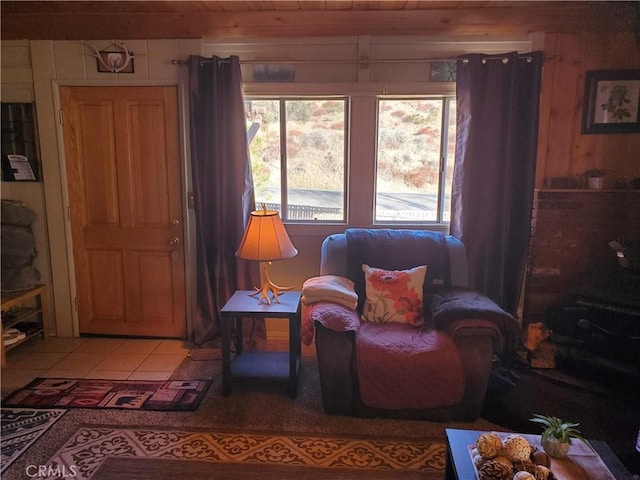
611, 101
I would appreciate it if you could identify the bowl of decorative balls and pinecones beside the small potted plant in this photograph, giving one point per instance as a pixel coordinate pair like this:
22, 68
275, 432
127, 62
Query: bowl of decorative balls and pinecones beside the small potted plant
509, 458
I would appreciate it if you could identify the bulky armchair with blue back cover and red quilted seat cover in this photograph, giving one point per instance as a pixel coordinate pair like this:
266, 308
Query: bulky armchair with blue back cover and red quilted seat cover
463, 330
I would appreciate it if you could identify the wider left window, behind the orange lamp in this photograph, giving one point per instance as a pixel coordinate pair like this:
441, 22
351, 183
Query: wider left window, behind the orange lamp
298, 156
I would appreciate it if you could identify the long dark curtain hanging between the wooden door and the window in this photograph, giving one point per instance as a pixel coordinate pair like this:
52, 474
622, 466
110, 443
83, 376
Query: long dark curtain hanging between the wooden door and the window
223, 194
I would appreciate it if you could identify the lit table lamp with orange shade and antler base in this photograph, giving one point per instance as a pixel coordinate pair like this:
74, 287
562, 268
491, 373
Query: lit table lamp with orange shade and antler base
266, 240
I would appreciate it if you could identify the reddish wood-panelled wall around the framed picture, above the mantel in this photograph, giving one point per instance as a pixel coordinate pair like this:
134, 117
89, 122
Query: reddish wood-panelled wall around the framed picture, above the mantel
563, 151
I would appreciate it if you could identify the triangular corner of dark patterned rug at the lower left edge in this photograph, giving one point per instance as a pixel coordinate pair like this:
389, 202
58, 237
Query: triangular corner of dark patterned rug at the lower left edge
21, 427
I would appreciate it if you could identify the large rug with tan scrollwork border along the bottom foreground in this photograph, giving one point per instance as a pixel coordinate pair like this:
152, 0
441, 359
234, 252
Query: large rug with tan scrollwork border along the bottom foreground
101, 453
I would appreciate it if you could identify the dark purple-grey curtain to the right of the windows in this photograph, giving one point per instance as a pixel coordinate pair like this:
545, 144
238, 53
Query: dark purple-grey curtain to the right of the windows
497, 132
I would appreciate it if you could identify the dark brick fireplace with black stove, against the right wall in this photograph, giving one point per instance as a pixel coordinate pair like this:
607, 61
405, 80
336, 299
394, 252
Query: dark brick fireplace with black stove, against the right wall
577, 285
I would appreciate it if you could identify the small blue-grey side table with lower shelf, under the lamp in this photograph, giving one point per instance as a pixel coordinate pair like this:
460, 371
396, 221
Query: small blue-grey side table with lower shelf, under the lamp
261, 364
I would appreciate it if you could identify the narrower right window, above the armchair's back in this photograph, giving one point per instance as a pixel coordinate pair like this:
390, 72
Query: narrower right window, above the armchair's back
414, 159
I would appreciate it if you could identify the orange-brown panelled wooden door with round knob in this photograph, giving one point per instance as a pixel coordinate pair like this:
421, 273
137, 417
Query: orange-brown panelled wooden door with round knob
123, 172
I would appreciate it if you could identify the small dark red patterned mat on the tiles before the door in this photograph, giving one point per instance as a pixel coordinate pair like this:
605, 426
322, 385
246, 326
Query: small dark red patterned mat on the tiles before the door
170, 395
